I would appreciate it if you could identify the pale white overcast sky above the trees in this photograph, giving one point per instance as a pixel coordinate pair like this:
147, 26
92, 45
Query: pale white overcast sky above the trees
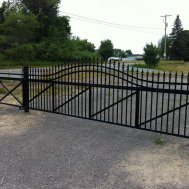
129, 24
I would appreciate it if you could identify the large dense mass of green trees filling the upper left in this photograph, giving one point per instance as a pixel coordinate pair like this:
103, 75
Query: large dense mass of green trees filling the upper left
33, 30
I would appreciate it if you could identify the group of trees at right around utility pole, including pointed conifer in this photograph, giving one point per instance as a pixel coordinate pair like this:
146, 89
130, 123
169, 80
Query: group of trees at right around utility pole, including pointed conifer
177, 46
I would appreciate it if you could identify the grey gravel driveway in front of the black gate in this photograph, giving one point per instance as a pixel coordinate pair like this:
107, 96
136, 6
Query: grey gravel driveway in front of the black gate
42, 150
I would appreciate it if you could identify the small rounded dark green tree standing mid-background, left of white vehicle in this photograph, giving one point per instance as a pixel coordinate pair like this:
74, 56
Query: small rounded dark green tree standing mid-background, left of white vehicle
106, 49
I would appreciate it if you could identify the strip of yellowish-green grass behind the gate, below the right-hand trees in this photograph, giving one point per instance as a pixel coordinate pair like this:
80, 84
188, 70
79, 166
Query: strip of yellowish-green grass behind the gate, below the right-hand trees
179, 66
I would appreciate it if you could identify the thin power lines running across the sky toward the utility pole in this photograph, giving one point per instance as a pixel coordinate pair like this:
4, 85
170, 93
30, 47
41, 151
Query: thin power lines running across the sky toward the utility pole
121, 26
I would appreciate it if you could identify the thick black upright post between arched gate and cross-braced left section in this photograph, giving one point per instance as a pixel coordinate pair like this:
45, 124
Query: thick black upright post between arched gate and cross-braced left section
25, 90
